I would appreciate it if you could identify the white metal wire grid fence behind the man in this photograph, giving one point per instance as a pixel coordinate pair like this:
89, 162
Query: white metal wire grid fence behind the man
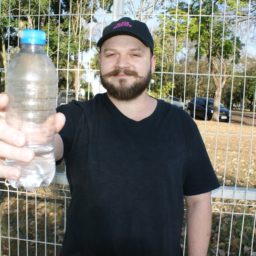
204, 49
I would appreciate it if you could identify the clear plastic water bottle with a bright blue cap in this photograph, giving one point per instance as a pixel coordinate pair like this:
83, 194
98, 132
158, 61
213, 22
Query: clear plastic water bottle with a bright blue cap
32, 86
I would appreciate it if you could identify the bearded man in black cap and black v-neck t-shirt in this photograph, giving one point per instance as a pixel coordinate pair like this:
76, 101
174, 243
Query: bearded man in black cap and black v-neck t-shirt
130, 160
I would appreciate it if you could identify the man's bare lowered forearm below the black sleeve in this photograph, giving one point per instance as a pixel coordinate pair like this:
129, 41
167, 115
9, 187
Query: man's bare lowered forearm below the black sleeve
199, 226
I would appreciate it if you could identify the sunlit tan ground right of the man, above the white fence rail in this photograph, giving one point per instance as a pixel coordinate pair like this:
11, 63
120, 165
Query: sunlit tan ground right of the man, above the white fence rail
232, 150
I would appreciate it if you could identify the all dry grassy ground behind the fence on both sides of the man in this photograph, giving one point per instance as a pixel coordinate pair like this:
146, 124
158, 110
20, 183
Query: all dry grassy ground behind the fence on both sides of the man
231, 148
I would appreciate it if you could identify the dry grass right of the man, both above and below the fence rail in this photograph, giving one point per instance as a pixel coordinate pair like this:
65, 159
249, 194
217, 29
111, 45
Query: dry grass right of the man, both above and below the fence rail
232, 148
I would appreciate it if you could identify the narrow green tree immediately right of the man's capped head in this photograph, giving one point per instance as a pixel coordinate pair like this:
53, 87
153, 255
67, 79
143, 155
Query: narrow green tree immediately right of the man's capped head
169, 39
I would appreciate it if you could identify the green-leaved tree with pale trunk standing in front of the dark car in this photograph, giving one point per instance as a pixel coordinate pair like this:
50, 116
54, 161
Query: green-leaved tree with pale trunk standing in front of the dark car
212, 35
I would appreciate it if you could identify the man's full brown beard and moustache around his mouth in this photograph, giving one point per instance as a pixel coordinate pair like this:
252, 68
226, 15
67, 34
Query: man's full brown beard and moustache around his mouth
123, 91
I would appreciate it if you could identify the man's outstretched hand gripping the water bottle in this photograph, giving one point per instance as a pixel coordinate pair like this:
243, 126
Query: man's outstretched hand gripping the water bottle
12, 142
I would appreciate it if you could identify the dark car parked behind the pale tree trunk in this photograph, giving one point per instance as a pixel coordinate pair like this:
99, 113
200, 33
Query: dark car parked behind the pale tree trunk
203, 108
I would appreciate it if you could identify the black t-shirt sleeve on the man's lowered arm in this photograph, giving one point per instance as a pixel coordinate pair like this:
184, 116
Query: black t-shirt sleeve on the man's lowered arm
199, 174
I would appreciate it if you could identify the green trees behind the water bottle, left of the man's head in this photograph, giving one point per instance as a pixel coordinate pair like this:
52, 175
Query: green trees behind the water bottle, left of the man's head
65, 23
